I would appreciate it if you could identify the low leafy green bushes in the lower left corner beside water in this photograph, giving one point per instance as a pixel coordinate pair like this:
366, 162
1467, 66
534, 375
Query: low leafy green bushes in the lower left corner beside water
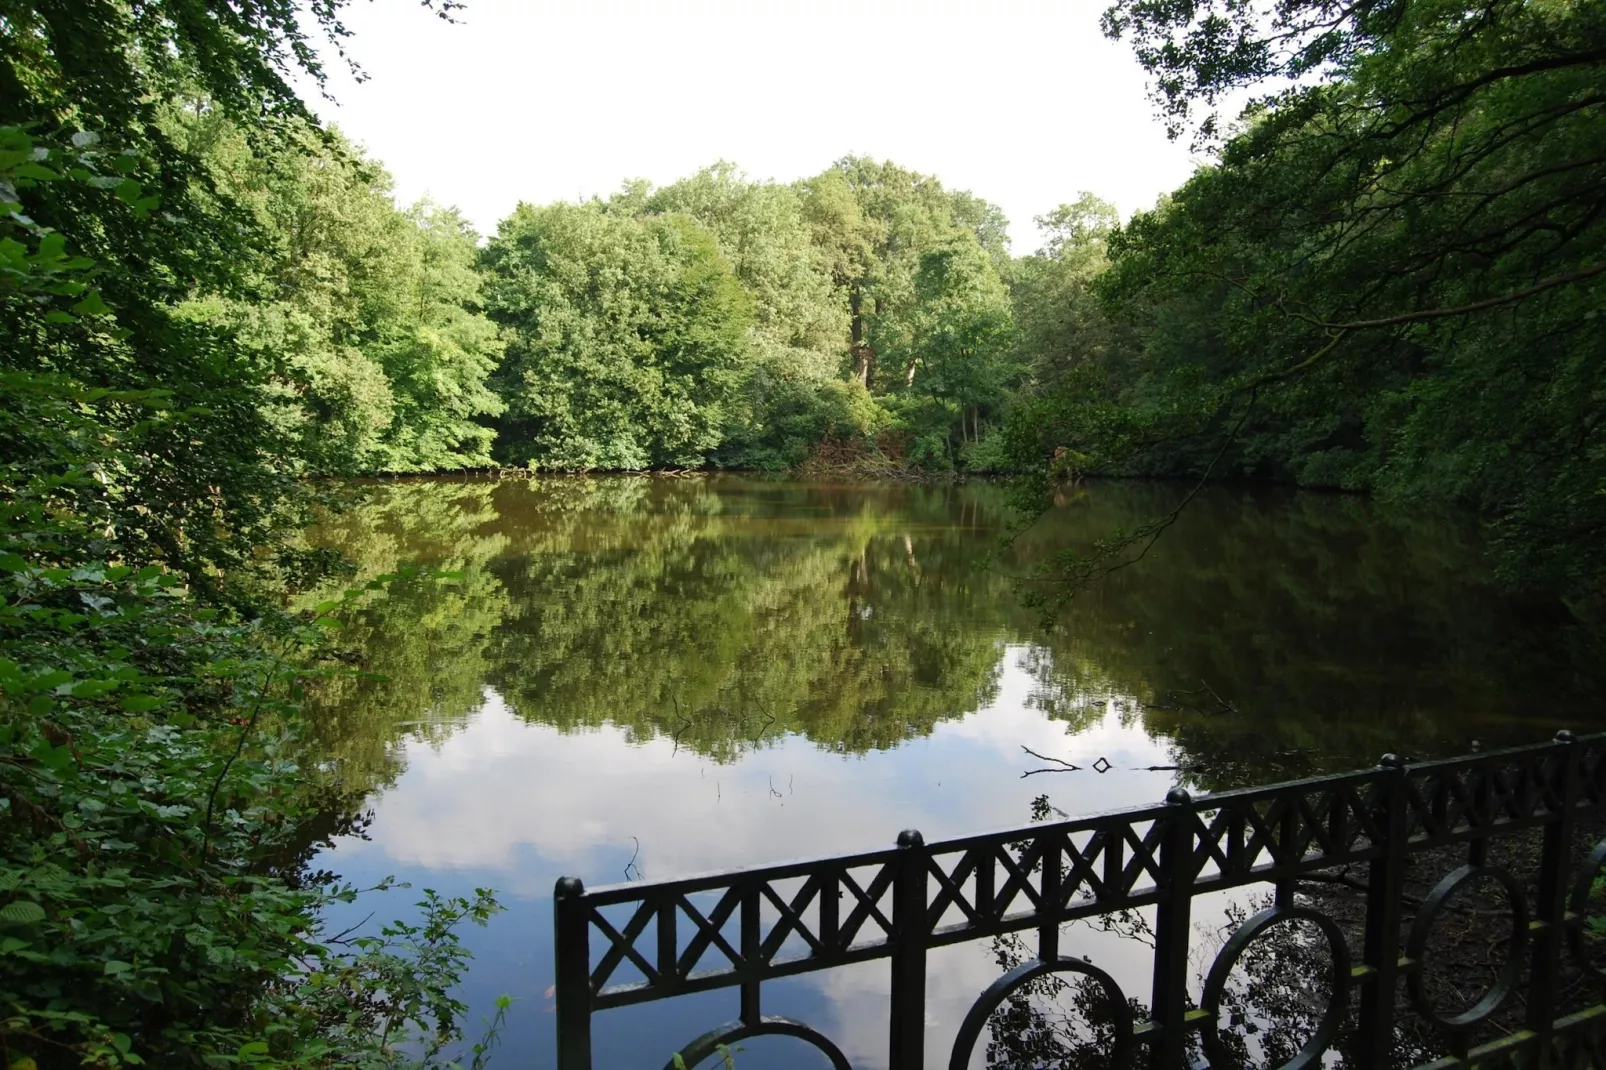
153, 862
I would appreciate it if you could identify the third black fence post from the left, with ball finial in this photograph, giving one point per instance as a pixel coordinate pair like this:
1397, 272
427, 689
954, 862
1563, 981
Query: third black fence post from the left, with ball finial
1173, 926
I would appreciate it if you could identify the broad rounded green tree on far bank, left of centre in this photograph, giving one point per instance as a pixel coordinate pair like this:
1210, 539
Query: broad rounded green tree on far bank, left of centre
627, 338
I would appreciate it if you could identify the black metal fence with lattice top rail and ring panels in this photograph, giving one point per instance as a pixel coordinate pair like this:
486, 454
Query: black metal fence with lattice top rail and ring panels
796, 918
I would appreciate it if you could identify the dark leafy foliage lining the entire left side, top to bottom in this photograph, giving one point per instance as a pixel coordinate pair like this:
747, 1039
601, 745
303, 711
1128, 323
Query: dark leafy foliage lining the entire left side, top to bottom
155, 899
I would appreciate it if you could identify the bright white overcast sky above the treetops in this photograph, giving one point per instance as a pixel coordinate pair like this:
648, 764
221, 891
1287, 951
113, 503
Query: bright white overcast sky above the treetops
1021, 102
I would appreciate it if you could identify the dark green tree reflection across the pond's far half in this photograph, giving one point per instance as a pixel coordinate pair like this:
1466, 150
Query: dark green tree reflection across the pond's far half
728, 613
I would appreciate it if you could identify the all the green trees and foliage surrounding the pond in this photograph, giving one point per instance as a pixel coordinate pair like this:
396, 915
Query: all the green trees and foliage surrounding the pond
1387, 279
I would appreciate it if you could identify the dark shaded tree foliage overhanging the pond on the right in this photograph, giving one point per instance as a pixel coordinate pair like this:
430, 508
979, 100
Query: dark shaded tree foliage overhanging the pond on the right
1390, 280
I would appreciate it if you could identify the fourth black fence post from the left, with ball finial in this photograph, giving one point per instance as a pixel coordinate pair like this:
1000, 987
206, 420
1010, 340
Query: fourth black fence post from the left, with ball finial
1385, 888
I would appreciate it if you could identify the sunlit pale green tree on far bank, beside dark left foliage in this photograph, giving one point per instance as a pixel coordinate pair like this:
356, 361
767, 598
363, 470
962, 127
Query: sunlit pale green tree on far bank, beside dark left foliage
367, 316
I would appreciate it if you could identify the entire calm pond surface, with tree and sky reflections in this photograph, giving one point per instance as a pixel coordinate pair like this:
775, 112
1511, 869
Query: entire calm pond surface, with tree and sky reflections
656, 677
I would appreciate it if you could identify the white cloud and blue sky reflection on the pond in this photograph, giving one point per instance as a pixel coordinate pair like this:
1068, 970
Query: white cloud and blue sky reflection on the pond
518, 806
